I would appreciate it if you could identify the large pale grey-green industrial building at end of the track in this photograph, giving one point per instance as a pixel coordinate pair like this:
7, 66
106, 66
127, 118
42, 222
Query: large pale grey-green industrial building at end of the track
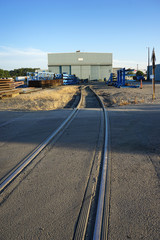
91, 66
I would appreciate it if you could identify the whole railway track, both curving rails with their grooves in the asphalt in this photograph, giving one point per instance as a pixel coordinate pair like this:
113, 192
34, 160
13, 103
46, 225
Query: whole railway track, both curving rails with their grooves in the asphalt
93, 212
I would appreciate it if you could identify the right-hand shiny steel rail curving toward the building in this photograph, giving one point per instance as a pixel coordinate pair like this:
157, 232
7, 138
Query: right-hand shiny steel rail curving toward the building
100, 208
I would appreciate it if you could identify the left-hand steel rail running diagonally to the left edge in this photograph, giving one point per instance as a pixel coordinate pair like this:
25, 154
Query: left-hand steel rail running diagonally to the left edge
4, 183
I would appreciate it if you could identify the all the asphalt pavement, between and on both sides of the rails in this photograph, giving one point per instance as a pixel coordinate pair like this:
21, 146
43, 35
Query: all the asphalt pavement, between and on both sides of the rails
47, 203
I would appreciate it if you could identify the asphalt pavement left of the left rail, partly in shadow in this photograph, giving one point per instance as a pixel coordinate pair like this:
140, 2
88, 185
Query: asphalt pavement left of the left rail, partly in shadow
21, 132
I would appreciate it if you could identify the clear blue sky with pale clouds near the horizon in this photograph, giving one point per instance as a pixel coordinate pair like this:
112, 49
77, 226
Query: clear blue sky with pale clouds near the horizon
31, 29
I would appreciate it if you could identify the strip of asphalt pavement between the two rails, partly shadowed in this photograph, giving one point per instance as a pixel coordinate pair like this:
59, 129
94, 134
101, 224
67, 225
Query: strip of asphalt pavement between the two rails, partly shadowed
46, 204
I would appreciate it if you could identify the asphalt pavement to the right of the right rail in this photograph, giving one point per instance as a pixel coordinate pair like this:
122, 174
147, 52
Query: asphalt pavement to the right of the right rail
135, 174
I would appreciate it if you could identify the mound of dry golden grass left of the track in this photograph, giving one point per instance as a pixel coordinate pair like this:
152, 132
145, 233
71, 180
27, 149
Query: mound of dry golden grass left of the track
47, 99
